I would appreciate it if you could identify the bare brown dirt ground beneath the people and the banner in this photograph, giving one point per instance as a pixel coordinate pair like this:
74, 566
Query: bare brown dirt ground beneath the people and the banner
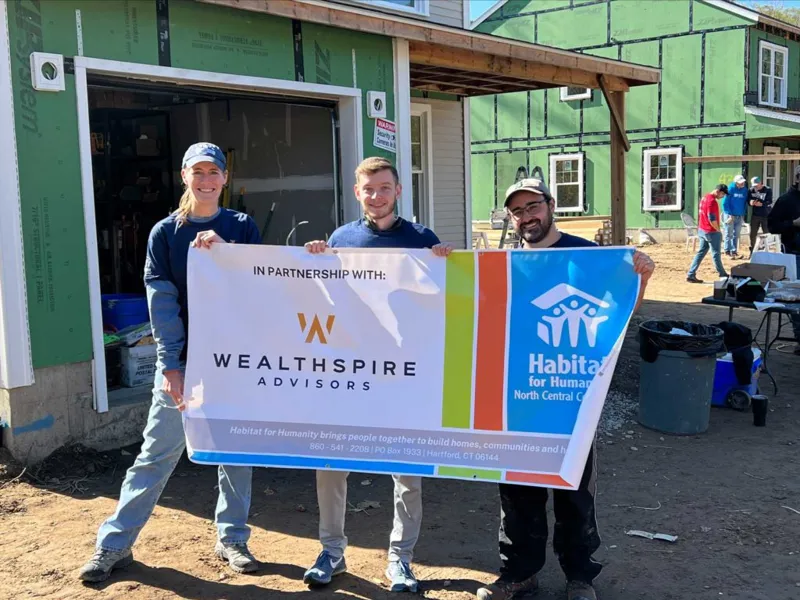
731, 496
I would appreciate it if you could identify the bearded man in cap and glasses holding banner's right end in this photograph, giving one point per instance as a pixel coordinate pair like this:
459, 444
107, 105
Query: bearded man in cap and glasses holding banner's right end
523, 509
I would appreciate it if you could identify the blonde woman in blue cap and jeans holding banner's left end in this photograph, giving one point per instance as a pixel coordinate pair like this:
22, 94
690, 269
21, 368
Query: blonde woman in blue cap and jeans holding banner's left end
198, 222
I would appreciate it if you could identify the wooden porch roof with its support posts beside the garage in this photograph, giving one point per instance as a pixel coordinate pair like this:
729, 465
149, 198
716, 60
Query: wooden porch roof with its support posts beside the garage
434, 59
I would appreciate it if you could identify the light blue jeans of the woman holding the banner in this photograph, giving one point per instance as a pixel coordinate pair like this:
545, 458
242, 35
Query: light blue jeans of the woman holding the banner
163, 445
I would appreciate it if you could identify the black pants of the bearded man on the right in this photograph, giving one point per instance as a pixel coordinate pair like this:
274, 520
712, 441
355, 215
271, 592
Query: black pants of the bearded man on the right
524, 532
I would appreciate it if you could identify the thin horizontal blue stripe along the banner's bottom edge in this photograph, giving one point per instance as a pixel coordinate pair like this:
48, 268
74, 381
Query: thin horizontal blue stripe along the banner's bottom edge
277, 460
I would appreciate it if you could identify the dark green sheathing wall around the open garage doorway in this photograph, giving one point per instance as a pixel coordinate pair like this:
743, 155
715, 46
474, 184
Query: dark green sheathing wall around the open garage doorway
202, 37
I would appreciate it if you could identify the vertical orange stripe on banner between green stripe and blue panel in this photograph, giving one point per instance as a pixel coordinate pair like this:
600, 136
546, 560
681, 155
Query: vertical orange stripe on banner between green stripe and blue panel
491, 342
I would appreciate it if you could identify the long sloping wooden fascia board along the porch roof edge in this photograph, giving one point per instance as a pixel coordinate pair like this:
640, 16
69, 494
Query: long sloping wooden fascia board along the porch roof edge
359, 19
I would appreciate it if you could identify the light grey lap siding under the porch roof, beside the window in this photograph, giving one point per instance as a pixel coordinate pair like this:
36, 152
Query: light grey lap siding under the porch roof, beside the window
449, 199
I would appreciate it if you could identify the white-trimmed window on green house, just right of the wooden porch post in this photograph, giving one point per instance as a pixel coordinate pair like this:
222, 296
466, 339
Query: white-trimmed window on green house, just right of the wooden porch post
663, 178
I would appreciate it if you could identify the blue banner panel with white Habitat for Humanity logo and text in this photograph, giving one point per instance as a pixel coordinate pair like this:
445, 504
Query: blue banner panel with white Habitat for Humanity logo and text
568, 309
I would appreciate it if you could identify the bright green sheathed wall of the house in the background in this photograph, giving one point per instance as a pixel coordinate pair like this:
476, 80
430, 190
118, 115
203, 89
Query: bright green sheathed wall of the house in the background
701, 51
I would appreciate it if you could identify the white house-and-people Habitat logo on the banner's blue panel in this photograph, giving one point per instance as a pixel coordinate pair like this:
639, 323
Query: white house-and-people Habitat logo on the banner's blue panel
566, 305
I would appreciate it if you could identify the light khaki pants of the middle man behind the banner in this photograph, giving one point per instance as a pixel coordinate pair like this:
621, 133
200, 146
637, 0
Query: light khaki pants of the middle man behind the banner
332, 499
